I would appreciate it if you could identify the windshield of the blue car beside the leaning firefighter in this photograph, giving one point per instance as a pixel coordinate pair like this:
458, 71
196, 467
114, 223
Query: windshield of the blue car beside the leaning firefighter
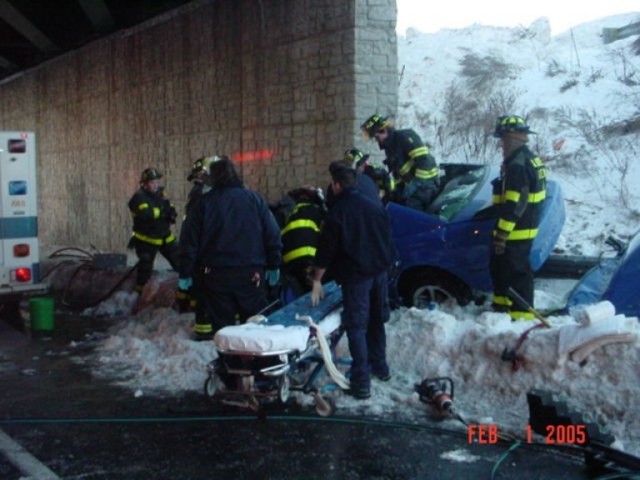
458, 190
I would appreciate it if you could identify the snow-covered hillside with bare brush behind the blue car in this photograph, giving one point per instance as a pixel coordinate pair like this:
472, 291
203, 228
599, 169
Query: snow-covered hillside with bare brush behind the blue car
581, 95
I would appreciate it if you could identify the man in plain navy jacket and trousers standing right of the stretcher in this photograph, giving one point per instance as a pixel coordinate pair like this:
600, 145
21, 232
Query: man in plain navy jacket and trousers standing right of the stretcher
356, 244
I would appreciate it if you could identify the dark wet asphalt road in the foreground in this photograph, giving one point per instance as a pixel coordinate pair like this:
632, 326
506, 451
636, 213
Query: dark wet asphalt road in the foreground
58, 421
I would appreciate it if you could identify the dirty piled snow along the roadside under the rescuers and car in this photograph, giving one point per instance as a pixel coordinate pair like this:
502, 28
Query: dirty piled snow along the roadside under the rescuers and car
151, 353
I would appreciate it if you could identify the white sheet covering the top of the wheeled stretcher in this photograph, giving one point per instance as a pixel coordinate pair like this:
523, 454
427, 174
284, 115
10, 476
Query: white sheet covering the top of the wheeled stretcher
262, 338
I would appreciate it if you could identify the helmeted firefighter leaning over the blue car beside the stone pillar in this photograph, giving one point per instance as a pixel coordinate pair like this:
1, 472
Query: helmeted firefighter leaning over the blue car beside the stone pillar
409, 160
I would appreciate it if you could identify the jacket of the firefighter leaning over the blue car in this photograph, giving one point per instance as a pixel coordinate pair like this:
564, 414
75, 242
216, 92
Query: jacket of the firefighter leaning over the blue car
408, 158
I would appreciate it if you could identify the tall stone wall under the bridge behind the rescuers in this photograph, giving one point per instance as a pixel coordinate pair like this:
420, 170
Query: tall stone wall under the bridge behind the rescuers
280, 85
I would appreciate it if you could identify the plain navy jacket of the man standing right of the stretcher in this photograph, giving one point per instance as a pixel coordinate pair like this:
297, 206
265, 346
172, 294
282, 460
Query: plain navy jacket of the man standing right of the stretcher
356, 238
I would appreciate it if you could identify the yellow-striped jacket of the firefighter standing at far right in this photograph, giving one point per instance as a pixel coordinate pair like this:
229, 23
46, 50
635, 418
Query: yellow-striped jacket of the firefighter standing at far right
519, 195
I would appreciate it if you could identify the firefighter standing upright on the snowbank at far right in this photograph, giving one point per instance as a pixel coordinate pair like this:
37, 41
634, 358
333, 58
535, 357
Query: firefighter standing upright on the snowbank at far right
518, 195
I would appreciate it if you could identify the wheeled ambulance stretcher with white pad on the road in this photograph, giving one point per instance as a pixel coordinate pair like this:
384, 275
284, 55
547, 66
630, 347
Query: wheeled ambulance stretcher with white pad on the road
268, 357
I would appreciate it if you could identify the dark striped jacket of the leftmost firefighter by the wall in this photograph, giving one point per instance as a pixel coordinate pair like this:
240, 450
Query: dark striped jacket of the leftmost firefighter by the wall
152, 215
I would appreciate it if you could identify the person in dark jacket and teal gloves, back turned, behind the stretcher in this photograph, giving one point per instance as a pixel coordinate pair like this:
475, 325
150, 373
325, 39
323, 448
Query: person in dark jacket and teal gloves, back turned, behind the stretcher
232, 246
